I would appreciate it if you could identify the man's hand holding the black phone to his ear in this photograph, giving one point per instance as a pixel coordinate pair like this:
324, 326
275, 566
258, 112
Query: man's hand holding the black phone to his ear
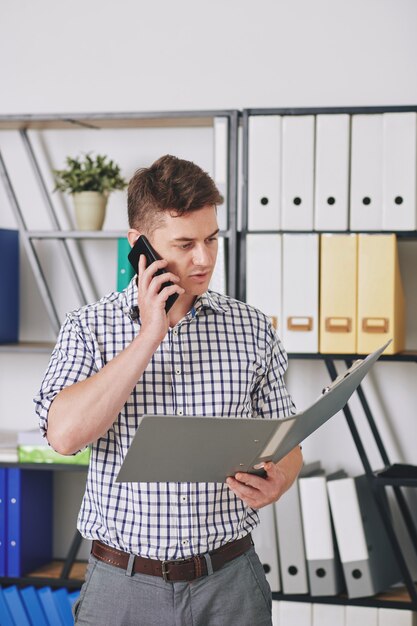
152, 300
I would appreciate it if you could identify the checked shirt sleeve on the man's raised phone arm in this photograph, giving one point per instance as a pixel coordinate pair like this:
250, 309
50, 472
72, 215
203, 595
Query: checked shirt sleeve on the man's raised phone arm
72, 360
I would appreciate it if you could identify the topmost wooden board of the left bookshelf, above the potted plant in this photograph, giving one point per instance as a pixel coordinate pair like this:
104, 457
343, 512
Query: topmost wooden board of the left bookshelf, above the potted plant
163, 119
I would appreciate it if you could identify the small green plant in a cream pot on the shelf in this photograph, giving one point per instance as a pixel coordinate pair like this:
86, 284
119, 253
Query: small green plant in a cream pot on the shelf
90, 181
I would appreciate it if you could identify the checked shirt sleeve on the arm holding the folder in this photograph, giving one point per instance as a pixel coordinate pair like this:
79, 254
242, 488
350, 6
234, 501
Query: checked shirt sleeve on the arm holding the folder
271, 398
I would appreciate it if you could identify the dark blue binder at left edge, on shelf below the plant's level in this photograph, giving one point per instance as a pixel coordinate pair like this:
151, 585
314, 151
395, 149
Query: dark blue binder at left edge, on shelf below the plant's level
9, 286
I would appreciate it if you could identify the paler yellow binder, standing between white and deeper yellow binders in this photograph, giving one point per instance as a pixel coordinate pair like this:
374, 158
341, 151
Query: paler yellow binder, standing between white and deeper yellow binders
338, 280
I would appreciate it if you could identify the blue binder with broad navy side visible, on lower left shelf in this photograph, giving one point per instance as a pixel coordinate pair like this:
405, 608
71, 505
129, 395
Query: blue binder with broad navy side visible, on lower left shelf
29, 520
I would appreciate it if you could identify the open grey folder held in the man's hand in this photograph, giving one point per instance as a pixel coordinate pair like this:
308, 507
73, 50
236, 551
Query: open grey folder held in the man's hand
171, 448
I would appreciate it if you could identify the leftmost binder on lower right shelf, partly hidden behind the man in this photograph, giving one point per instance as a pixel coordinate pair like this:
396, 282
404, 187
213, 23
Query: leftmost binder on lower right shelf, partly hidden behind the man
265, 539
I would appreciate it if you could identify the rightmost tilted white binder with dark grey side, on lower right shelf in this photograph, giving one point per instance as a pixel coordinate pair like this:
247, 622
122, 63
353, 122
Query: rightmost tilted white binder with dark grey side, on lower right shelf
367, 558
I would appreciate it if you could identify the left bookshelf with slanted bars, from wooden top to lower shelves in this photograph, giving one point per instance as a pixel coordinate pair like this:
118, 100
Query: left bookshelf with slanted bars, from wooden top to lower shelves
69, 572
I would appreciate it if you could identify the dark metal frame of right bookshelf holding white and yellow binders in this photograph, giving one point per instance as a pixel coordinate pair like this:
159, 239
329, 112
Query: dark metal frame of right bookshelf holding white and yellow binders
377, 483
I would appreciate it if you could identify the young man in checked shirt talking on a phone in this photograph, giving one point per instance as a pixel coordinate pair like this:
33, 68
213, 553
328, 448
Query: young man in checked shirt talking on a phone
211, 355
